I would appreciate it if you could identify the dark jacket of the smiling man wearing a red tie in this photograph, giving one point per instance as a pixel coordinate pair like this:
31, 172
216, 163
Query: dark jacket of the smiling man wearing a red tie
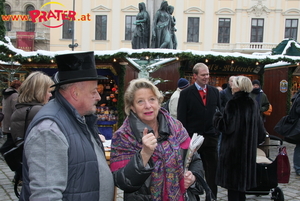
192, 113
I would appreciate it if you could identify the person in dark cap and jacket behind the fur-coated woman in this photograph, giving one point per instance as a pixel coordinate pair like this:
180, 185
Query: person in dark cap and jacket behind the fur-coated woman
261, 98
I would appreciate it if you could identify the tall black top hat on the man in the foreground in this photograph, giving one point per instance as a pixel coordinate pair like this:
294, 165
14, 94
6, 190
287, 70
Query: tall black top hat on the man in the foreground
76, 67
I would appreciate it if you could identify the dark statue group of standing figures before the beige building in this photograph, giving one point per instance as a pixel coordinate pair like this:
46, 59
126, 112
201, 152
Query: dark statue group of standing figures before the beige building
163, 31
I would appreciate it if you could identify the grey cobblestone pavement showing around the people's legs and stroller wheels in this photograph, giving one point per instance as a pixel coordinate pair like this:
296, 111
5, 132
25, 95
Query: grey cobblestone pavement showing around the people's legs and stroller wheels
291, 190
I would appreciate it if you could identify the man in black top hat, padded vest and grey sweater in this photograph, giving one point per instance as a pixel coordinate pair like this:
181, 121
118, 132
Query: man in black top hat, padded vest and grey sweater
63, 156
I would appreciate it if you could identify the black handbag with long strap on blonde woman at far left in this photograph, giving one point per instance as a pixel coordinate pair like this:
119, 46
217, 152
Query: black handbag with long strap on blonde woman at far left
13, 157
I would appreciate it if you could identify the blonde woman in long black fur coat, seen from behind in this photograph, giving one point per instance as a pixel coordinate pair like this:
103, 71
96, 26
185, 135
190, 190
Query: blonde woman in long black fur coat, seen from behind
242, 129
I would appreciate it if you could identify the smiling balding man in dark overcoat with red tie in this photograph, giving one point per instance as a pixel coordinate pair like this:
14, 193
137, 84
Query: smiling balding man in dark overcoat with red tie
197, 105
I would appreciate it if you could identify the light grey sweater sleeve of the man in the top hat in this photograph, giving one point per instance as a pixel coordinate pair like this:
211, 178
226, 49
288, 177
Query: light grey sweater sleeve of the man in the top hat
46, 151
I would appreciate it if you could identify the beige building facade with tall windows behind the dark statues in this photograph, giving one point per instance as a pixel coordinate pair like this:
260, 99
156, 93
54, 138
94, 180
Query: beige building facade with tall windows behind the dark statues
244, 26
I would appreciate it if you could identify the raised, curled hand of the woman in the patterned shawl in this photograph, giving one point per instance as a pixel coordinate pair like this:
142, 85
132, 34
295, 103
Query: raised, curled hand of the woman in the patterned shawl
149, 144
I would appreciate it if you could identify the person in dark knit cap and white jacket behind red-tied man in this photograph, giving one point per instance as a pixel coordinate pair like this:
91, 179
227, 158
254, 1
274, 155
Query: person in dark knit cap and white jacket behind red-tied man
181, 84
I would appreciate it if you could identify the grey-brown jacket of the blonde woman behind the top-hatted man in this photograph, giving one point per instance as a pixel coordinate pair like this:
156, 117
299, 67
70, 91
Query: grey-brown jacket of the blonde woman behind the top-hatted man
18, 118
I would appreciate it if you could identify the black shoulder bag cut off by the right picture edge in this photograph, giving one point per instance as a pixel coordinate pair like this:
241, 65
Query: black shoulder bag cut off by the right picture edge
289, 126
